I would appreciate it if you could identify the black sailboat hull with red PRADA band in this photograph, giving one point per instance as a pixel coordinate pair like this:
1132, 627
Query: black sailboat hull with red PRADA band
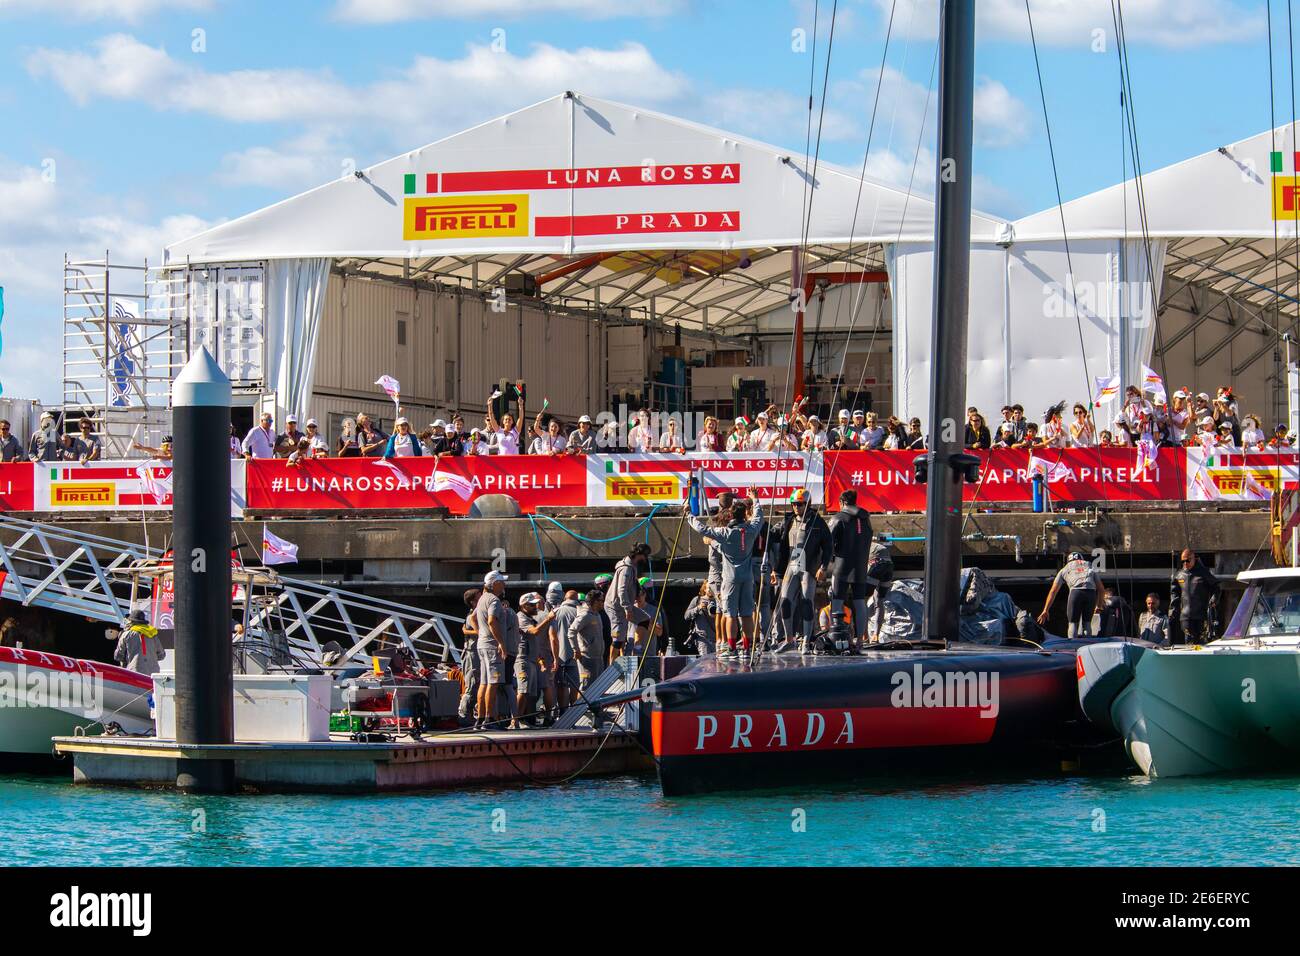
821, 720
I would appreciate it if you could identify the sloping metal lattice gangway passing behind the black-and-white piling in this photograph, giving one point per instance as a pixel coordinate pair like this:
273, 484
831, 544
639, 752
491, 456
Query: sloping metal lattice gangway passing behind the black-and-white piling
98, 578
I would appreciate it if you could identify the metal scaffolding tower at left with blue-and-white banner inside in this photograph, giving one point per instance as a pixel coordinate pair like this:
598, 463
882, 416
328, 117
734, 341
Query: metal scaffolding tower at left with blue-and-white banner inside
125, 340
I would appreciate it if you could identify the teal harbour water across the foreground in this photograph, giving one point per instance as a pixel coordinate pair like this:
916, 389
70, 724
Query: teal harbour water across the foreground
625, 821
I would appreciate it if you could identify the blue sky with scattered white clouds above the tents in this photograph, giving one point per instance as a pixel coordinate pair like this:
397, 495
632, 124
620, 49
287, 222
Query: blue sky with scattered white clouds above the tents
122, 128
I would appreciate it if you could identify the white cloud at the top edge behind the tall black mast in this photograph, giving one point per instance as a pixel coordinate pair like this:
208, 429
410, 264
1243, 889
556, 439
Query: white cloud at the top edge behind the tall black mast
1177, 24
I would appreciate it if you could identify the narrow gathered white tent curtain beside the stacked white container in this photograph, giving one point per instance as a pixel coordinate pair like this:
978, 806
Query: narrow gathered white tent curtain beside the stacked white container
296, 302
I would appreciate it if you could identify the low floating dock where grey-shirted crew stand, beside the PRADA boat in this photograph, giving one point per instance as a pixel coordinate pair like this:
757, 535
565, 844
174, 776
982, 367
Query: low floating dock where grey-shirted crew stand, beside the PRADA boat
448, 760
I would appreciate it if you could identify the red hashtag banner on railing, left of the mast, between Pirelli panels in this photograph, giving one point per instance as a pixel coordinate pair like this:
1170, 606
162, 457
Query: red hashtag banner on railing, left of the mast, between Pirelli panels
331, 485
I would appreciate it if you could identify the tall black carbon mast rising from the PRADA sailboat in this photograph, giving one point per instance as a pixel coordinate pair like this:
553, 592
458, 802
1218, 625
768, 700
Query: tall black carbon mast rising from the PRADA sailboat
947, 466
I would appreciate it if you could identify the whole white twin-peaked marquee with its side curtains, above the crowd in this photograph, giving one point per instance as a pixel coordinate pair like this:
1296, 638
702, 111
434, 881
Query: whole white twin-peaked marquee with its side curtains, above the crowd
609, 206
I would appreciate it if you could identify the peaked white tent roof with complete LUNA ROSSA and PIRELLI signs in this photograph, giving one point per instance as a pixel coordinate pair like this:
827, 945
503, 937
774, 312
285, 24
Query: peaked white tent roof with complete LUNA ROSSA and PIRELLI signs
710, 230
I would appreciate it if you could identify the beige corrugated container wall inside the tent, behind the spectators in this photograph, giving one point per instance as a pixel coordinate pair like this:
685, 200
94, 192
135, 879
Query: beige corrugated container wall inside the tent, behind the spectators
457, 351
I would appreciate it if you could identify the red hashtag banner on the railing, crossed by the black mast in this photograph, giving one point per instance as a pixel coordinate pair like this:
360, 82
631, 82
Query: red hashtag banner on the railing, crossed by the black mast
885, 481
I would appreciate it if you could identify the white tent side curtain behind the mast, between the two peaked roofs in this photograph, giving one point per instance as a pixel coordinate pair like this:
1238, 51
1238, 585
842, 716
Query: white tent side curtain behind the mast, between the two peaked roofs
1033, 305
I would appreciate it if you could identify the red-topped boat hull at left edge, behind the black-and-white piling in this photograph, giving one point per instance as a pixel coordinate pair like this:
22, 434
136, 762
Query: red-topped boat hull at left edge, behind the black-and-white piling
44, 697
